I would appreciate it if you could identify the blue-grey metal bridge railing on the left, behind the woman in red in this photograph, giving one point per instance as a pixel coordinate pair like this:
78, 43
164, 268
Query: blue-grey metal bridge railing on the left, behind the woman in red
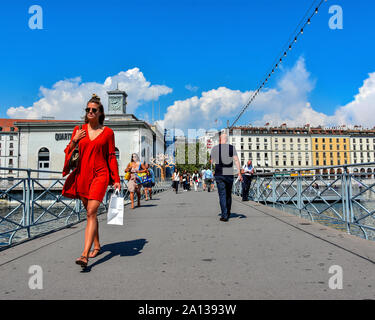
31, 204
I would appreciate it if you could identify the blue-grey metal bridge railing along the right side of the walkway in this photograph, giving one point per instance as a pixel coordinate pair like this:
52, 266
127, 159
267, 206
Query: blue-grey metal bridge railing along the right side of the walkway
334, 195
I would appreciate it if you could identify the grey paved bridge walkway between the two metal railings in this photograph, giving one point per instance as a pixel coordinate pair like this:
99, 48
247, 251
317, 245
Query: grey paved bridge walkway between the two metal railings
175, 247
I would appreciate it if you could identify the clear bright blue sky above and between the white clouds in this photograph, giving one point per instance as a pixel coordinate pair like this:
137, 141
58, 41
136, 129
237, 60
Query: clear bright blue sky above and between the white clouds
184, 44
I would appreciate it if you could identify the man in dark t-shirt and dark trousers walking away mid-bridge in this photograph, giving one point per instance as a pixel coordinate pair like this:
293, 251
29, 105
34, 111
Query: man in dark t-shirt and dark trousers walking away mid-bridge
223, 156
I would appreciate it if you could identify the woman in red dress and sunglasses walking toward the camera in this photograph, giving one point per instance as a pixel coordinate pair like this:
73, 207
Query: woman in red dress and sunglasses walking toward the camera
97, 168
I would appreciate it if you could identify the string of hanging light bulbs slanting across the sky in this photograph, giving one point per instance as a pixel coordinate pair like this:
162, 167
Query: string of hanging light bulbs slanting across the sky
299, 30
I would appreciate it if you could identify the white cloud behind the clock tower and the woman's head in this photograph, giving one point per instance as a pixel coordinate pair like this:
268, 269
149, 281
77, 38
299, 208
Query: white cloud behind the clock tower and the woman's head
67, 98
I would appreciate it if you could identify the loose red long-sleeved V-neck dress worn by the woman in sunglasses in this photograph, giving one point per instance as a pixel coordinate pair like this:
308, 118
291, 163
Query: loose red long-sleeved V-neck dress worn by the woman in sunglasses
96, 169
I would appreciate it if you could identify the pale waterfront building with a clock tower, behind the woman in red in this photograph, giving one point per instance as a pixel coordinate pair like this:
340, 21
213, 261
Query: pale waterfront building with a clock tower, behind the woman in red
40, 144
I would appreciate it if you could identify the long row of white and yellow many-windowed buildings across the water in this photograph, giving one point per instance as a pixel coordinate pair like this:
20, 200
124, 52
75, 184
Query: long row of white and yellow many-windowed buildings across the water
275, 149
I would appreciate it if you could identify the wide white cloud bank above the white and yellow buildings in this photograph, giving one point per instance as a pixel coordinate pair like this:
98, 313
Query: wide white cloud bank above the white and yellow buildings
287, 102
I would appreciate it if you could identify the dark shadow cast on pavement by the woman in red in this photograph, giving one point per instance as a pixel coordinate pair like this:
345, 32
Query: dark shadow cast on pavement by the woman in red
122, 249
